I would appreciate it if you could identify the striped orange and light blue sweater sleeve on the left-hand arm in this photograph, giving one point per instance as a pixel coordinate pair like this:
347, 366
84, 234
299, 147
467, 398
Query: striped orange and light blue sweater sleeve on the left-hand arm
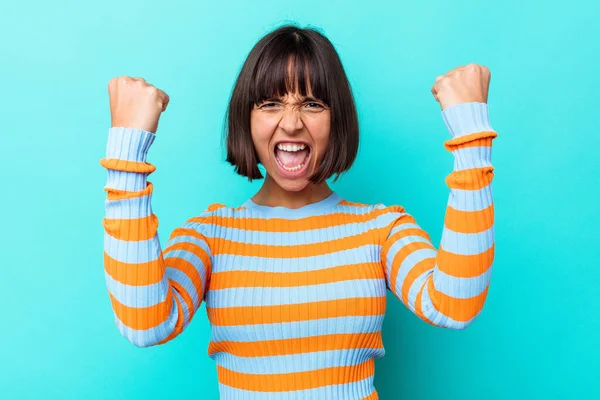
154, 293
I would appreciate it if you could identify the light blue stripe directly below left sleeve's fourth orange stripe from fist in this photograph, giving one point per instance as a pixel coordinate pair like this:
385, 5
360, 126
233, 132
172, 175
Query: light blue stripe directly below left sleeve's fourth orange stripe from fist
137, 296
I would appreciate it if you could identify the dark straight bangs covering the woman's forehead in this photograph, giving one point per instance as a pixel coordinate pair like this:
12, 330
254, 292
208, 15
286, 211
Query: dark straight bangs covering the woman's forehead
289, 65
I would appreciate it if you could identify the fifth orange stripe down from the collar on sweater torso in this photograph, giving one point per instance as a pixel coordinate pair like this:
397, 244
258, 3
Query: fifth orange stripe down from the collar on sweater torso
308, 344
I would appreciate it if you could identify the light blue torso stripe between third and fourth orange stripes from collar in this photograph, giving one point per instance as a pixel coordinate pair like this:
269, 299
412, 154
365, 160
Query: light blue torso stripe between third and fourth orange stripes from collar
270, 296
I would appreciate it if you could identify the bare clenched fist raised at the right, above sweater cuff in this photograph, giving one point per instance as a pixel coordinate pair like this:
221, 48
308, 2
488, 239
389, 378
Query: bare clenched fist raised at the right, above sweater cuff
462, 84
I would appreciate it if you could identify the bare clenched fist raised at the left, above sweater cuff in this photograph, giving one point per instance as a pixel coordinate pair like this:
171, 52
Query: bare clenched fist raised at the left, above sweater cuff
134, 103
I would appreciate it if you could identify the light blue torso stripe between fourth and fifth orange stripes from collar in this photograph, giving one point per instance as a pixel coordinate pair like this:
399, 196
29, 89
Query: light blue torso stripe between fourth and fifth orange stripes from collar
292, 330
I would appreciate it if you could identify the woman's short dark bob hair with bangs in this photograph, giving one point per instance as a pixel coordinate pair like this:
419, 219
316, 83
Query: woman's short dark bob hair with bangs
264, 74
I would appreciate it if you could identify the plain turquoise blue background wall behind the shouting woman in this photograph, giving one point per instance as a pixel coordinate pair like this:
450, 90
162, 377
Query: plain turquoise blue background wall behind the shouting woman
538, 334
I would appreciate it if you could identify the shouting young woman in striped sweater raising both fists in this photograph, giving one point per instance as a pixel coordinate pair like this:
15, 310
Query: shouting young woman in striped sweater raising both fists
295, 278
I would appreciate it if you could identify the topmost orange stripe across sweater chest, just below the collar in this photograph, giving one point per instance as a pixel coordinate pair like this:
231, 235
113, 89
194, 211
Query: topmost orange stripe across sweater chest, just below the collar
286, 225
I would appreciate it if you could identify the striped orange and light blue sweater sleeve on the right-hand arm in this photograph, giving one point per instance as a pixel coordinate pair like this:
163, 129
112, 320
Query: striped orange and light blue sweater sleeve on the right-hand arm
448, 287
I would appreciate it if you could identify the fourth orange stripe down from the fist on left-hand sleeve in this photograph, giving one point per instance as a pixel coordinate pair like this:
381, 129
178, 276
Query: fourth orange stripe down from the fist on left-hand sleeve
142, 274
